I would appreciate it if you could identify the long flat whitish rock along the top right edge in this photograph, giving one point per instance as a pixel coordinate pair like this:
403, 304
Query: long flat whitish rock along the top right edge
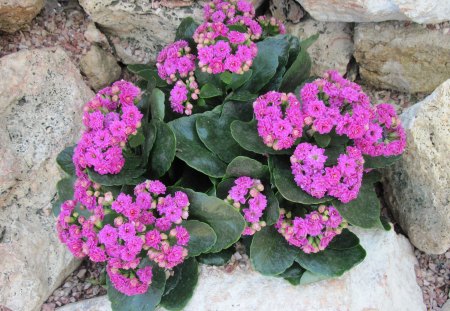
419, 11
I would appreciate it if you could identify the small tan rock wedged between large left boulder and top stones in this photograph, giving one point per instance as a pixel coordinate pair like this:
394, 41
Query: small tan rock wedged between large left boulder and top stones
100, 67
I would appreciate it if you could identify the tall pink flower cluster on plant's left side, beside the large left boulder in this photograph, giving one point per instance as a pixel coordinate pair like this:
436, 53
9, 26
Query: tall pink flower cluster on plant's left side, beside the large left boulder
110, 118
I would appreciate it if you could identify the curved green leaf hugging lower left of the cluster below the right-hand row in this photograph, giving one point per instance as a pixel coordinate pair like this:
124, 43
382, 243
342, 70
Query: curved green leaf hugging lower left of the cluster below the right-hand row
284, 181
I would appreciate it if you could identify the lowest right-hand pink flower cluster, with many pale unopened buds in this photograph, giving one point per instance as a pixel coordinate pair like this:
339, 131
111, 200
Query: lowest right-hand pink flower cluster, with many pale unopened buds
313, 232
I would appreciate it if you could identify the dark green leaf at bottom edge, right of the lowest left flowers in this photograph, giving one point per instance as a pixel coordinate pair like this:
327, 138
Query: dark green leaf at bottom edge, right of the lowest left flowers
180, 295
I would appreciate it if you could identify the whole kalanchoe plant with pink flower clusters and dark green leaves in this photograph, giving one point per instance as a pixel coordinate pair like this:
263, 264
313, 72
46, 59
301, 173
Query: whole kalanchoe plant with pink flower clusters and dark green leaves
226, 138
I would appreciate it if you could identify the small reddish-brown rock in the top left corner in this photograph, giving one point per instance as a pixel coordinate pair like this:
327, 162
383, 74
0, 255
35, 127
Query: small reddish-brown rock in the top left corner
17, 14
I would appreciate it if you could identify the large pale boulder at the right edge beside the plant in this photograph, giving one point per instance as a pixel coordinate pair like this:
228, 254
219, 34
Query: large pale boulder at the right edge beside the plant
417, 186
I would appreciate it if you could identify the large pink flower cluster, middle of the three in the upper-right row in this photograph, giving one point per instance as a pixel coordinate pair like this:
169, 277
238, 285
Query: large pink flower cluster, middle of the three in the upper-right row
336, 103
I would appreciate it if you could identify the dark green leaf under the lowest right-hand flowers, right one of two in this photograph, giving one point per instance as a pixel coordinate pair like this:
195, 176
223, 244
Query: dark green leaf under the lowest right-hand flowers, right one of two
331, 262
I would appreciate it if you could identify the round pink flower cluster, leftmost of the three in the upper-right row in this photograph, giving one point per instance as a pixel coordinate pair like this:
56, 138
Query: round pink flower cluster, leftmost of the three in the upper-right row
280, 120
